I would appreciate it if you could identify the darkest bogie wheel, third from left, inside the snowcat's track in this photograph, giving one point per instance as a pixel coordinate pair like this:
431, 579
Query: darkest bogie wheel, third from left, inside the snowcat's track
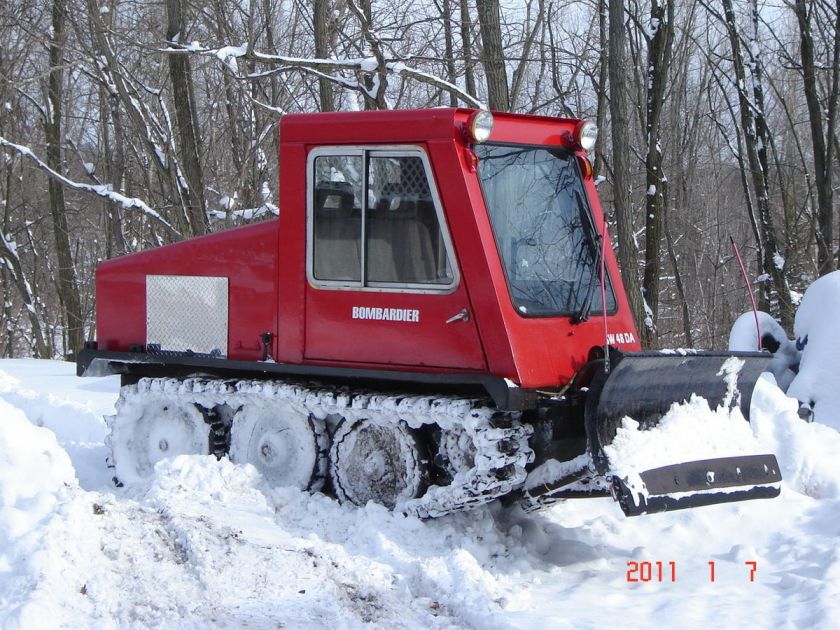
376, 461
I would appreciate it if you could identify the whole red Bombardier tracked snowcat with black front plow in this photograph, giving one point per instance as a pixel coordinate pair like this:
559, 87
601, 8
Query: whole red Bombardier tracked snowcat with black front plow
434, 321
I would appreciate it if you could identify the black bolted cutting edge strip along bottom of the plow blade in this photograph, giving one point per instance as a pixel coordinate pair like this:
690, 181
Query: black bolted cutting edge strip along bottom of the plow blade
703, 482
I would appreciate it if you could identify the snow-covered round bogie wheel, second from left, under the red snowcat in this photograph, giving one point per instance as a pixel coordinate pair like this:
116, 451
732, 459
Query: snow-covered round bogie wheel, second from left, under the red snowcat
280, 439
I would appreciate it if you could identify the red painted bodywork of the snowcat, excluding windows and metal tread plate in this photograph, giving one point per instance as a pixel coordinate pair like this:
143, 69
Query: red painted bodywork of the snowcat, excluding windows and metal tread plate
269, 291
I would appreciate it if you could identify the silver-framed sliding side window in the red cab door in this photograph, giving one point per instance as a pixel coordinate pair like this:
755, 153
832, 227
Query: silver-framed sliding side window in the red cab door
375, 224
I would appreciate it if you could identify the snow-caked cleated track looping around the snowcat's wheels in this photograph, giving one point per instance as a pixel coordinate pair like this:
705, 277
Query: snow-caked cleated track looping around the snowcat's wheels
500, 438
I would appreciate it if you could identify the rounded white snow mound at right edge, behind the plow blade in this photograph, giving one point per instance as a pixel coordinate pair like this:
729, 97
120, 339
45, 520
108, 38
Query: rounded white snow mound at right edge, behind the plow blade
816, 328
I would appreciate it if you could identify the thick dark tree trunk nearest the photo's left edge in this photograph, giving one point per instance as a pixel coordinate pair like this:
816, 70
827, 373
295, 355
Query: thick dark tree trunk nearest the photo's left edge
68, 289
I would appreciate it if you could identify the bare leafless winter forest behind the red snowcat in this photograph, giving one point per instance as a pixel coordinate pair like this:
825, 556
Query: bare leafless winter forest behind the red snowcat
129, 124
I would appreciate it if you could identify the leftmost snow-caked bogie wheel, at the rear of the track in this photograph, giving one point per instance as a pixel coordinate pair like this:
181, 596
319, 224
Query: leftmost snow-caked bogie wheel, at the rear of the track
142, 436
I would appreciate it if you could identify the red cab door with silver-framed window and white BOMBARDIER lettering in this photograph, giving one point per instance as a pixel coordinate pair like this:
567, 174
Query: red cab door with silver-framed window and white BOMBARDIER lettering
383, 281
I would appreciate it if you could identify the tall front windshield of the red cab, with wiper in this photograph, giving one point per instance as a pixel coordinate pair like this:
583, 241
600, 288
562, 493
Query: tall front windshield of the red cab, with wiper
543, 229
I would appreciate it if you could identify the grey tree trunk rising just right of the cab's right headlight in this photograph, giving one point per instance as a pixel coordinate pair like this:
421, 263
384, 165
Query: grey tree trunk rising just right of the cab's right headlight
618, 71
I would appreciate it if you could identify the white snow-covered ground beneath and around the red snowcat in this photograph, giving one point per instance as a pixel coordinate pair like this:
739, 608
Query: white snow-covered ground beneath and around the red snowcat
203, 543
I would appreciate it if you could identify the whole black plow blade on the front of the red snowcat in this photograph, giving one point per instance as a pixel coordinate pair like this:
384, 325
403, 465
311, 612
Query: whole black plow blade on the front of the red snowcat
644, 386
